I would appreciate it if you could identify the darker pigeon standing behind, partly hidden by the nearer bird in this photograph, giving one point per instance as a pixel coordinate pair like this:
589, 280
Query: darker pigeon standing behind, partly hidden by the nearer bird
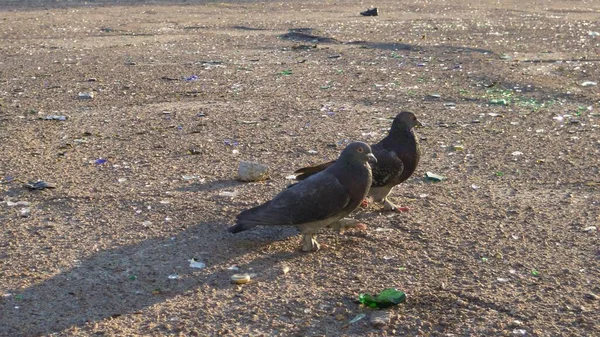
397, 156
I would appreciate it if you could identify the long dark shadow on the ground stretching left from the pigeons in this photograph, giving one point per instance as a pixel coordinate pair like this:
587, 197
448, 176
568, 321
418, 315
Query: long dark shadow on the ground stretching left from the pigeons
127, 279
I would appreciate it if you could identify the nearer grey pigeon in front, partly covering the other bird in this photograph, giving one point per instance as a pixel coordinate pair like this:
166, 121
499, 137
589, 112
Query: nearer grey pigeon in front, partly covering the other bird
322, 200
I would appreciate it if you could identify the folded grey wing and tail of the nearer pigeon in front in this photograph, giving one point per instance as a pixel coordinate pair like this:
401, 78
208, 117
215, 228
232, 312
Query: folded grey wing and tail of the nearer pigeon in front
320, 197
